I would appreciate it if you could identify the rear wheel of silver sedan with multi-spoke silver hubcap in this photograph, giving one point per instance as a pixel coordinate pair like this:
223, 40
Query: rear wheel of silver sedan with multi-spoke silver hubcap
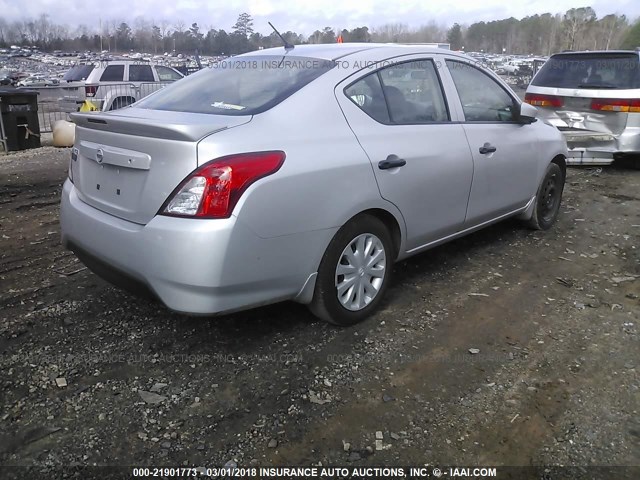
354, 272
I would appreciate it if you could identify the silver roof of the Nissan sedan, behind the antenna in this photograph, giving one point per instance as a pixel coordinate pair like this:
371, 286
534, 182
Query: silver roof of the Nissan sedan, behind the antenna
335, 51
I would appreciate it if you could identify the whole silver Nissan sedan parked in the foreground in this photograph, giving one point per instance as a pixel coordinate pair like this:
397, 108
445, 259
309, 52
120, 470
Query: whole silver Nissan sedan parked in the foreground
303, 174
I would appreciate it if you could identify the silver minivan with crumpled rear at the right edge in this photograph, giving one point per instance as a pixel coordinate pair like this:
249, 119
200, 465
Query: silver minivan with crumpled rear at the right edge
594, 99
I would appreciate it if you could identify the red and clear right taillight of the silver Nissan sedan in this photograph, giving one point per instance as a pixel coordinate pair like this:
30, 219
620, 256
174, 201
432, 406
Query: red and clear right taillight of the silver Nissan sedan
213, 190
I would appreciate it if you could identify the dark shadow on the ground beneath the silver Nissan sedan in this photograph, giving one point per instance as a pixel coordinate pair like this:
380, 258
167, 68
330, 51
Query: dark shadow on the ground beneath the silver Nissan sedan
243, 330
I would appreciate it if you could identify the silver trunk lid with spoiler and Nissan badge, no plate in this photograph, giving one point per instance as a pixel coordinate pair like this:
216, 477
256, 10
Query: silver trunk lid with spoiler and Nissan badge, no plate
128, 162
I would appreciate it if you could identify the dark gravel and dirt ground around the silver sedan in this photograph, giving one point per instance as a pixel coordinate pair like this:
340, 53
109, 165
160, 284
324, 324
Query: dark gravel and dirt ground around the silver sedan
507, 347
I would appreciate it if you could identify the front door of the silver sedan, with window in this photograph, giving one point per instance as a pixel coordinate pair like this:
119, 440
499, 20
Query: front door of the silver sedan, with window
504, 150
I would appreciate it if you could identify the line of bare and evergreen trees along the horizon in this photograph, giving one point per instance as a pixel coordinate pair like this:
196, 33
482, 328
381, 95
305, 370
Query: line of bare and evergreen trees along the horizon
576, 29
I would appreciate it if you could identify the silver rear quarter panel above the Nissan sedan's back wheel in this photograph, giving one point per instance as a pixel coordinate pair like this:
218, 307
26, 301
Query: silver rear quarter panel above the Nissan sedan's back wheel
326, 177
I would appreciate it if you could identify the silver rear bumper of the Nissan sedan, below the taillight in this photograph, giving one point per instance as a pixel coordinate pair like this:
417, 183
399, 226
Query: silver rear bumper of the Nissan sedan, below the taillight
192, 266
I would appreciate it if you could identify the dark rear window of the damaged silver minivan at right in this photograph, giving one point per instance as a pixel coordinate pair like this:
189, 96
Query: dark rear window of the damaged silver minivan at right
599, 71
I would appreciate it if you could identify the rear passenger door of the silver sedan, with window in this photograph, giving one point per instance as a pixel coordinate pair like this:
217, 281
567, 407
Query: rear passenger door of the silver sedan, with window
420, 158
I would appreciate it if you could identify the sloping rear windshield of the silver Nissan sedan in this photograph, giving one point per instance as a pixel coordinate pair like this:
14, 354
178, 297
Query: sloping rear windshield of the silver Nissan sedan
239, 86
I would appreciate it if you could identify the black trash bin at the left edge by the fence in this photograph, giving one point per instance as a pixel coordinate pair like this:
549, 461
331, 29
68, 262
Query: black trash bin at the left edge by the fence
19, 124
